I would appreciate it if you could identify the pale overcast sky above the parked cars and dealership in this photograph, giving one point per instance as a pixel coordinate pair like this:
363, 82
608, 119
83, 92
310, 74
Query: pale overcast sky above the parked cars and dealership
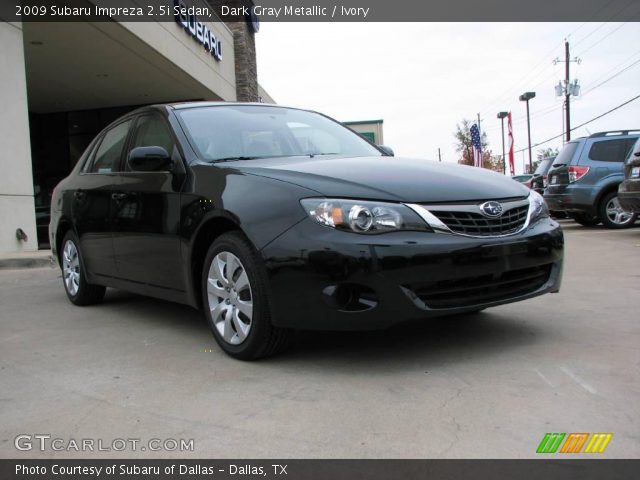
424, 78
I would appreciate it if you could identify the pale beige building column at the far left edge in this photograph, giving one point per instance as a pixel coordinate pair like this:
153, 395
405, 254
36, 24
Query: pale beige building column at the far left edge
17, 209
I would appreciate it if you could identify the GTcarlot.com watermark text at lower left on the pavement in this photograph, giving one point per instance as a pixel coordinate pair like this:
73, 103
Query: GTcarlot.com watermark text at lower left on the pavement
45, 442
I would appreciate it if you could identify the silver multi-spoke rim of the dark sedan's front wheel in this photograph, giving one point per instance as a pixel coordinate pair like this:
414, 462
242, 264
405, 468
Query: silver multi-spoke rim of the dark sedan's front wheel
230, 298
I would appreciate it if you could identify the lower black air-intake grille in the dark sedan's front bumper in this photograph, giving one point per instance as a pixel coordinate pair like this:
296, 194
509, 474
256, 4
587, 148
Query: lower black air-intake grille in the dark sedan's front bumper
464, 292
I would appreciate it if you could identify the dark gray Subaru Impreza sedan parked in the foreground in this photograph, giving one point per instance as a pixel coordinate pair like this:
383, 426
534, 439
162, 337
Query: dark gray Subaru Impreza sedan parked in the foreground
272, 219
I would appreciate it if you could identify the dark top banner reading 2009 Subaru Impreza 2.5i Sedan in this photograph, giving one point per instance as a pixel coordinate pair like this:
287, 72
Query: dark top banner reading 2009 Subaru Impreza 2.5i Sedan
321, 10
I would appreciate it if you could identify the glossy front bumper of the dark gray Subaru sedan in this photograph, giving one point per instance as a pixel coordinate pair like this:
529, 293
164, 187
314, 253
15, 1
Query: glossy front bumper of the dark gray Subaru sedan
325, 279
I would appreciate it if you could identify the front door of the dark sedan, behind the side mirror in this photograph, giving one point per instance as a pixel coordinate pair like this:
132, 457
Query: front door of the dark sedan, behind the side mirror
146, 212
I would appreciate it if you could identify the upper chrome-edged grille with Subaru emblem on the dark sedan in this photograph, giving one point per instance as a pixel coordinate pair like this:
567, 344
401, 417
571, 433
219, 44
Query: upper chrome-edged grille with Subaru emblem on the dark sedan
476, 224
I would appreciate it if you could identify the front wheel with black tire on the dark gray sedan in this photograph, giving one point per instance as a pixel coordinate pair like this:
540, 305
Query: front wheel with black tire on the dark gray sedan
235, 300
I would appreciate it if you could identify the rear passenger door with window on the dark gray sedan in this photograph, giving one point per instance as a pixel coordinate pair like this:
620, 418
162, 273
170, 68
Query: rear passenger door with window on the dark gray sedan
91, 203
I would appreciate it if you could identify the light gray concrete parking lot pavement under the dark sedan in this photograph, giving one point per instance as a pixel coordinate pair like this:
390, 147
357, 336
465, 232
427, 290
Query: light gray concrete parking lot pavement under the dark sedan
489, 385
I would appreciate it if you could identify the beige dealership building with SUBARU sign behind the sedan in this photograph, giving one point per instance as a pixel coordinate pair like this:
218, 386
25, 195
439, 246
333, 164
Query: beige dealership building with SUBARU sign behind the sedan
63, 82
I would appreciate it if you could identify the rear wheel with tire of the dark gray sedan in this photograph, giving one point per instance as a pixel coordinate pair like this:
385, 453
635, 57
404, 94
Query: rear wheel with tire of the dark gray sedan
79, 291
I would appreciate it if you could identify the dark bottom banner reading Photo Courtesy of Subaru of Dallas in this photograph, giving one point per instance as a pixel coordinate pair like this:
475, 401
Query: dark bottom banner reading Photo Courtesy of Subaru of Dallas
320, 469
